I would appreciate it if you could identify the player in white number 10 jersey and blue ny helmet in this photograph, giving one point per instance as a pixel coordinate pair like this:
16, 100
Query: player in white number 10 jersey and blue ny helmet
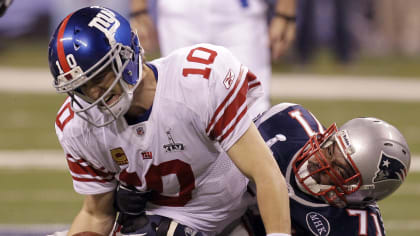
159, 128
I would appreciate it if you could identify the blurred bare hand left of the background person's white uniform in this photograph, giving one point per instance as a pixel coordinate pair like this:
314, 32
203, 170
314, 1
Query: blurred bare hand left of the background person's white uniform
146, 31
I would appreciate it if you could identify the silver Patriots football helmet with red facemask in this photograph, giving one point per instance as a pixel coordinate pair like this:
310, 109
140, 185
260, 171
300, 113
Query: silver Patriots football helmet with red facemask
376, 152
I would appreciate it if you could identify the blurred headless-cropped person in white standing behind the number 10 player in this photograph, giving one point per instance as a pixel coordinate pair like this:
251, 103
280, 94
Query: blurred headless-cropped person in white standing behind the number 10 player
239, 25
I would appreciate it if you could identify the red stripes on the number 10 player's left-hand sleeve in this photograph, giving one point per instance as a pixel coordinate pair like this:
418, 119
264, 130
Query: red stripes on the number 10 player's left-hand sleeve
83, 171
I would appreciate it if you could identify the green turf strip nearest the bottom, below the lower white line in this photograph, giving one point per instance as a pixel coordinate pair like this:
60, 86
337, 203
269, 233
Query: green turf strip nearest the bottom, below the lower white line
47, 197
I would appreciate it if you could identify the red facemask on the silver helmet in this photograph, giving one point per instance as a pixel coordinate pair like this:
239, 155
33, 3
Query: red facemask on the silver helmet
315, 162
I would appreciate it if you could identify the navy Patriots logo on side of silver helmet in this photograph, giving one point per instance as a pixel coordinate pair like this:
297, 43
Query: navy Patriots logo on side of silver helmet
390, 168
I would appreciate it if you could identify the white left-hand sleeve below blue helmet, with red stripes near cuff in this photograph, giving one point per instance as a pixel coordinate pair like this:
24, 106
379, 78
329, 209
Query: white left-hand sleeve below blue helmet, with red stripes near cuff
91, 175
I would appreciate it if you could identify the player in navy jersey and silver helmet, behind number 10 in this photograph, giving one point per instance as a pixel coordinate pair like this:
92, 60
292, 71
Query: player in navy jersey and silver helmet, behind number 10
335, 176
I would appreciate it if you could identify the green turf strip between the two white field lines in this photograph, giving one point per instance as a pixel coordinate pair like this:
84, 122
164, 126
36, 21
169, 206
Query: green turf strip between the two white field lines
29, 120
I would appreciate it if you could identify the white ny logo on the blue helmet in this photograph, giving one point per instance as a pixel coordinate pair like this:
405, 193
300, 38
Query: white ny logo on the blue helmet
106, 22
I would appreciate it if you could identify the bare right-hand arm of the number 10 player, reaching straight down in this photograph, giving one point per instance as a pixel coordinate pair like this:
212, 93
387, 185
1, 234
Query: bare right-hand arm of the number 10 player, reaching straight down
254, 159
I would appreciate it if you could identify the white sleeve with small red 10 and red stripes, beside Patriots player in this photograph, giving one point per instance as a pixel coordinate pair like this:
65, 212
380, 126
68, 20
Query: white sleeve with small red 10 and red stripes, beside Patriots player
229, 90
